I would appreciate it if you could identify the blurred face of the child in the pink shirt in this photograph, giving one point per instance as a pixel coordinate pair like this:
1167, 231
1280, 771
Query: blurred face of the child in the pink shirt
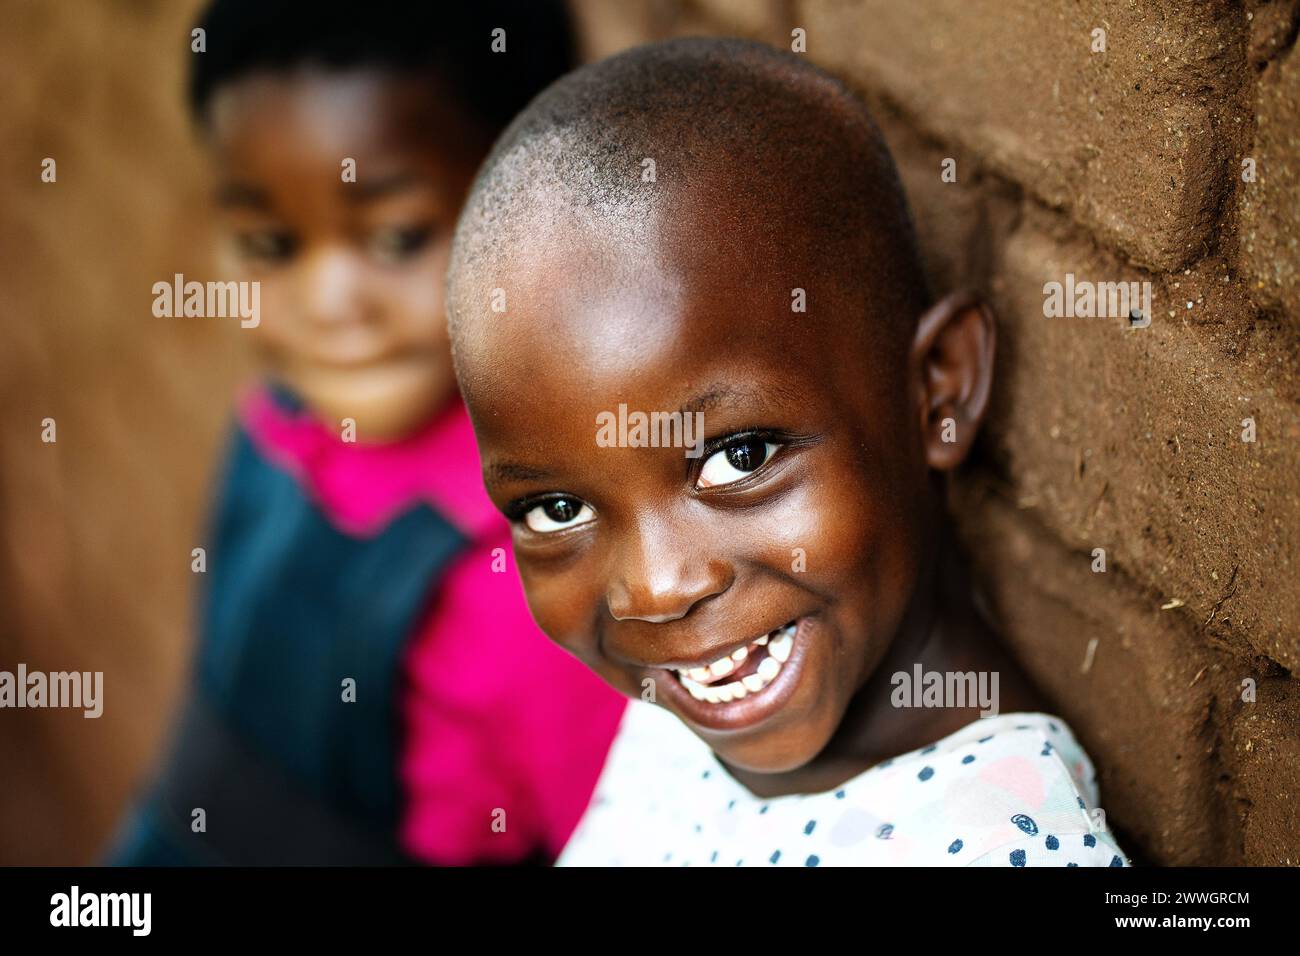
352, 272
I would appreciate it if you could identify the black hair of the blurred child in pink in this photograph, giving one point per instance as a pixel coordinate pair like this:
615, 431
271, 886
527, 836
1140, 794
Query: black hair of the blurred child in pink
450, 41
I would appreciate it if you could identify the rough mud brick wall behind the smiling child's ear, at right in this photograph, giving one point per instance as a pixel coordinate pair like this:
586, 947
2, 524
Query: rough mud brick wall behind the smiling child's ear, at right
1172, 157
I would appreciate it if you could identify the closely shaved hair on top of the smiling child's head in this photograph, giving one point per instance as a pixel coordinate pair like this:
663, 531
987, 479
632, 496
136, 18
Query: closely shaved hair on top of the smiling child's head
636, 144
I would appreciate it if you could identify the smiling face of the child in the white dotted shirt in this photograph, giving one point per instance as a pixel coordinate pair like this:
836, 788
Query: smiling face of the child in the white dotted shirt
644, 563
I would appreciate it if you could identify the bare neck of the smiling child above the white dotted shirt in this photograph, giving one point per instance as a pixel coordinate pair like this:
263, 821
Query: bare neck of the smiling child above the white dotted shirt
942, 631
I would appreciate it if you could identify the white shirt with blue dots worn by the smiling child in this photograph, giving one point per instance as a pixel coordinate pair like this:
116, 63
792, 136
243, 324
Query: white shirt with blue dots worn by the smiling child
1021, 804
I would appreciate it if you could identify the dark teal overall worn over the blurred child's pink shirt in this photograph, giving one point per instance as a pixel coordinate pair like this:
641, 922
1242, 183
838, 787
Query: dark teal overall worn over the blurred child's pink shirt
284, 769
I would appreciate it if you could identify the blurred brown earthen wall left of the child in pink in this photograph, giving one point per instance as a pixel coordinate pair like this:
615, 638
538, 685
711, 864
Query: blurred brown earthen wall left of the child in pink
97, 529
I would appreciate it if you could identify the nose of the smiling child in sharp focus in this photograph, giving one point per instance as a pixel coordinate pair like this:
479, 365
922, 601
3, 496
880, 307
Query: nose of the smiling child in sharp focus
661, 577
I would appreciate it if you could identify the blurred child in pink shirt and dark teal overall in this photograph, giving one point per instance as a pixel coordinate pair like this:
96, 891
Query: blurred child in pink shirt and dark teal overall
370, 686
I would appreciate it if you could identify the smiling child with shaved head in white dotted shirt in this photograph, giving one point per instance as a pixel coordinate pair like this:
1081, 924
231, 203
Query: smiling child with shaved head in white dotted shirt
714, 227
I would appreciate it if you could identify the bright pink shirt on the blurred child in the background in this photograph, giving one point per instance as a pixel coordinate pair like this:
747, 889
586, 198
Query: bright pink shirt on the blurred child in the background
504, 734
